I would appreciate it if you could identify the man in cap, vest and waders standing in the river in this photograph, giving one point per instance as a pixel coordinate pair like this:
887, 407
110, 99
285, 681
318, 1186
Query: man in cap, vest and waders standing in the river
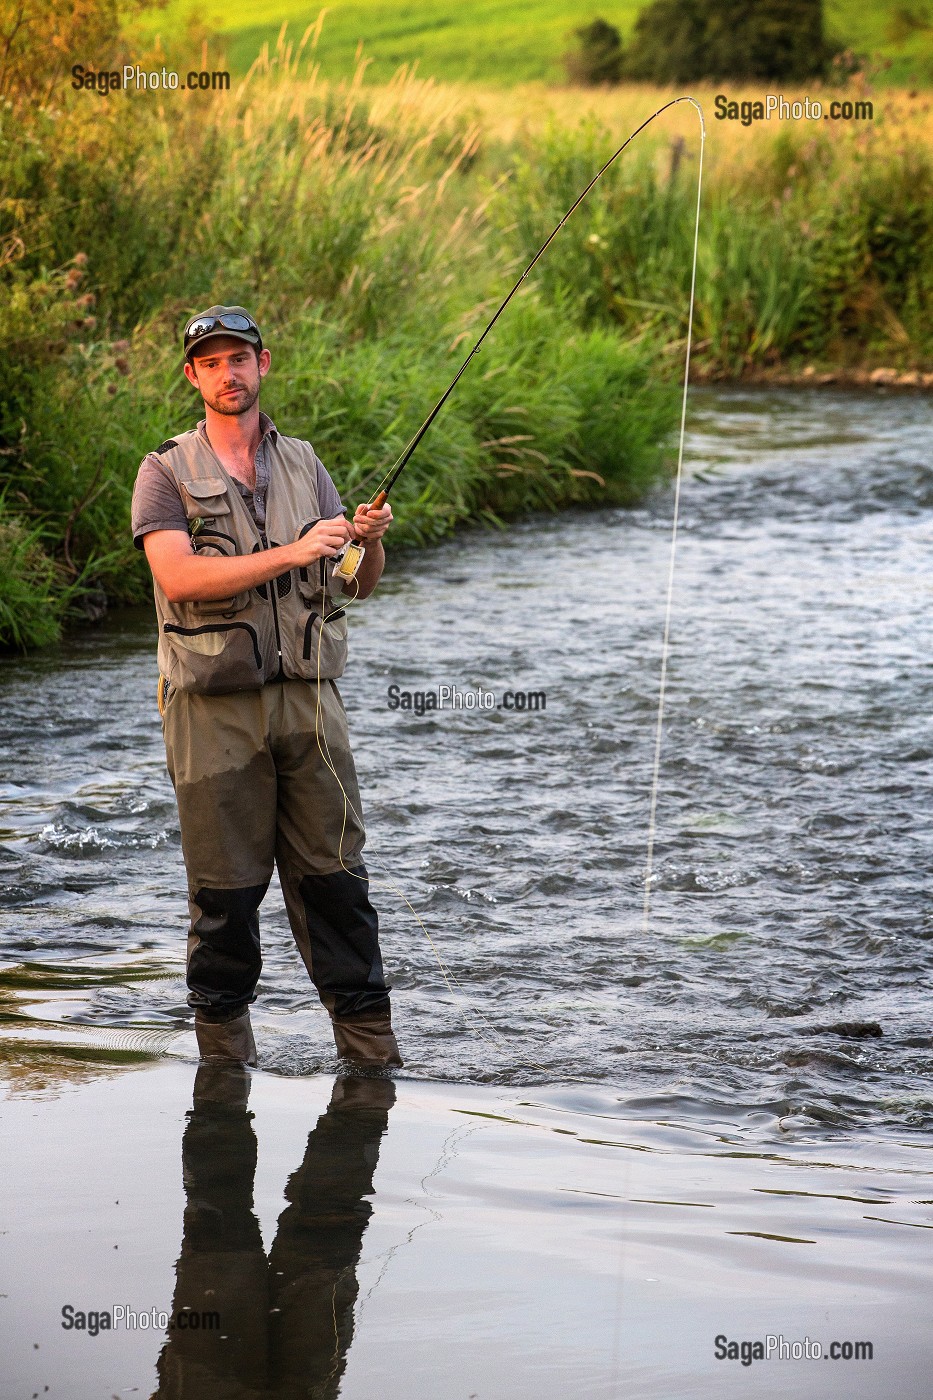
240, 526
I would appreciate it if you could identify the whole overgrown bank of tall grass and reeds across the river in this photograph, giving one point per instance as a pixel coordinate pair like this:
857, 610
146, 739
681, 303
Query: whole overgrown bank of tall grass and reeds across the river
373, 229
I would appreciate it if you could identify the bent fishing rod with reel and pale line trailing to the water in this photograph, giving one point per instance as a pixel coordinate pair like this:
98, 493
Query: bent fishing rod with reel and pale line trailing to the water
396, 471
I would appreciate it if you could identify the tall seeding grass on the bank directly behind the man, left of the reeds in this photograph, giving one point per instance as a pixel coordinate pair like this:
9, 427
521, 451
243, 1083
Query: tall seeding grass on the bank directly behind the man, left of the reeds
364, 244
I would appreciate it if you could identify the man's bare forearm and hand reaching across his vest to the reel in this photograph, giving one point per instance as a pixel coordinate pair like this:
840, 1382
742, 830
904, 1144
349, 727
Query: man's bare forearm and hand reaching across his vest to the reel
188, 577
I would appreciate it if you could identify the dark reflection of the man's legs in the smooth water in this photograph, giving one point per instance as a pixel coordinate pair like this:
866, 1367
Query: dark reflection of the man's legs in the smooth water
286, 1325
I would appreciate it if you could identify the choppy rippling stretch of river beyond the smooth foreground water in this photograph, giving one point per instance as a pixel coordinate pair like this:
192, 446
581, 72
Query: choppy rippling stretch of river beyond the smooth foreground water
788, 955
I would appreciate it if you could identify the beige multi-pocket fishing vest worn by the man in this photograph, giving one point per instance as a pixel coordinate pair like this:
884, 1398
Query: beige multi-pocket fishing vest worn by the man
286, 629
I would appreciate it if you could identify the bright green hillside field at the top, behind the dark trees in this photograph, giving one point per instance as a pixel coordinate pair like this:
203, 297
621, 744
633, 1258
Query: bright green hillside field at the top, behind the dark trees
487, 41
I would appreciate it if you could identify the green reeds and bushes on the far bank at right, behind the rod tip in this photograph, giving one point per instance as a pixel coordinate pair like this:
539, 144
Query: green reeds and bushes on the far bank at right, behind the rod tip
817, 244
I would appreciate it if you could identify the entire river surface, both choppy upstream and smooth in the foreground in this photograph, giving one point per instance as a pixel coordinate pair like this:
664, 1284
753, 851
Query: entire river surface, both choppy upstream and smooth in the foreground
760, 1055
